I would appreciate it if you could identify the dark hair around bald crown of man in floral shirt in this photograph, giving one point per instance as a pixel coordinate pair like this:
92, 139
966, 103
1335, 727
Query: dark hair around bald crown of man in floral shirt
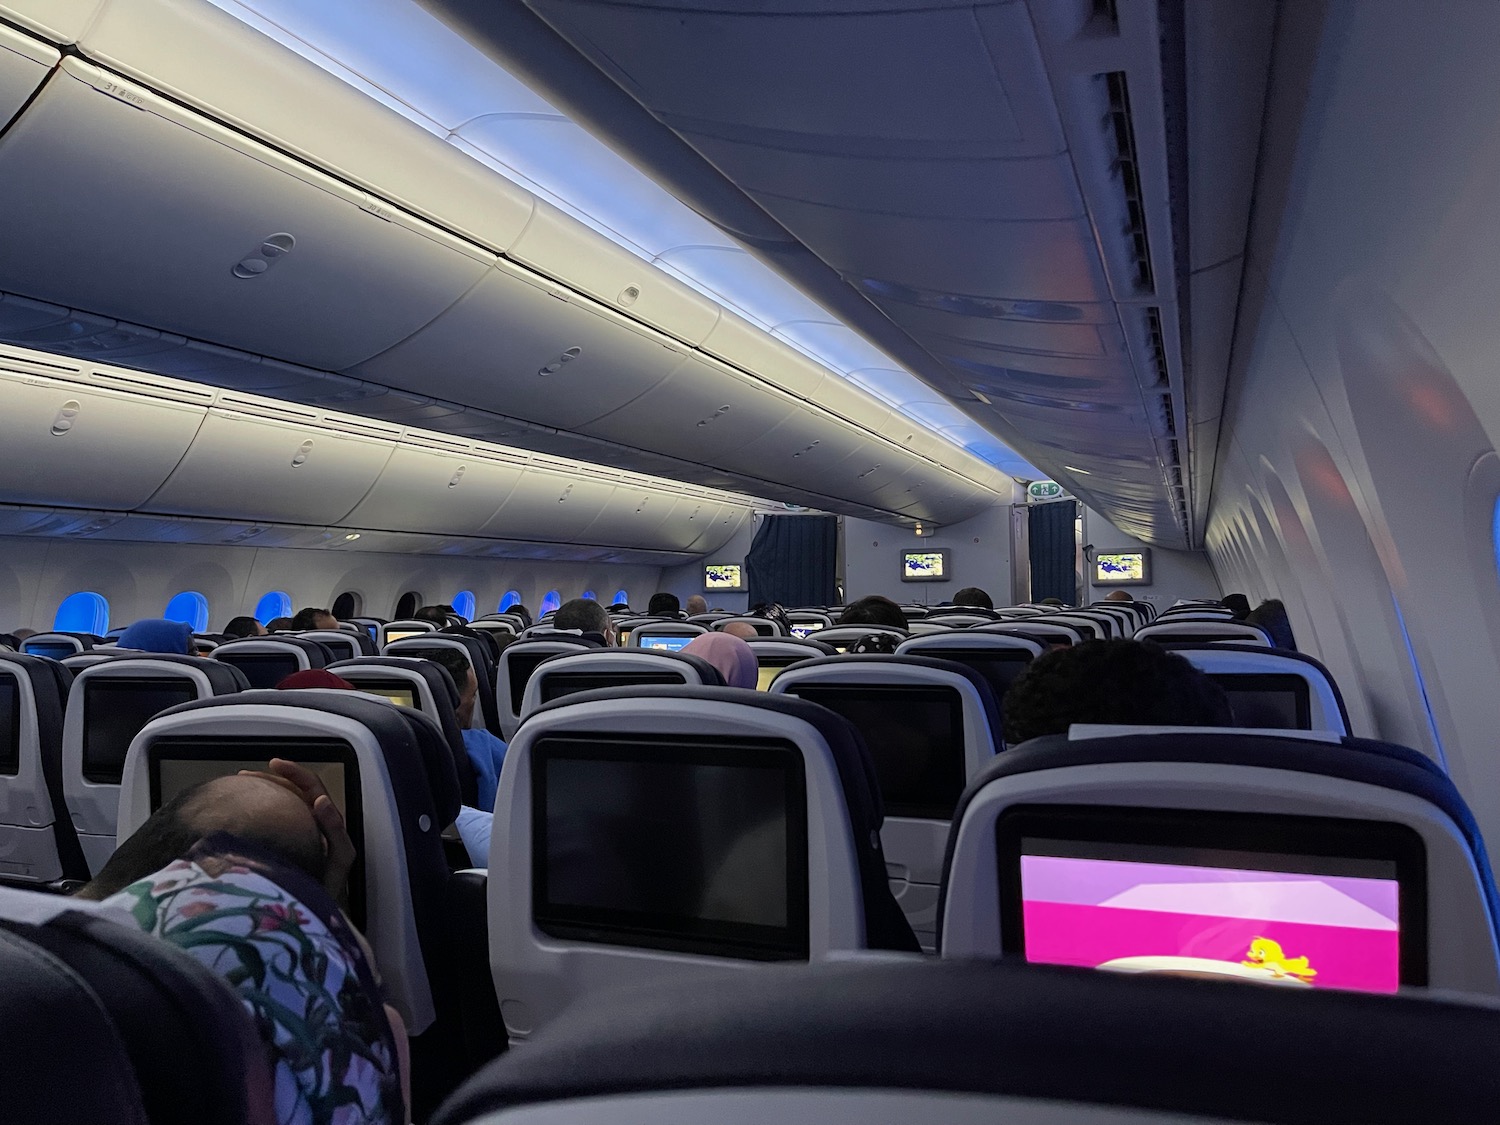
173, 830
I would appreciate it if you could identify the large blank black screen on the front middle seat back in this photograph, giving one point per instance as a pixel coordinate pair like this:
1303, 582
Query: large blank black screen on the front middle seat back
673, 845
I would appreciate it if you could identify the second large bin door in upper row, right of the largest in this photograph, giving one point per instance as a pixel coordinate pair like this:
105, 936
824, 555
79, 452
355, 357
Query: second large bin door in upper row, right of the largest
524, 347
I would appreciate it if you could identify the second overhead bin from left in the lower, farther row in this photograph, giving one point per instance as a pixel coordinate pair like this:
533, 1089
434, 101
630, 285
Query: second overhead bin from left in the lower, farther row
275, 463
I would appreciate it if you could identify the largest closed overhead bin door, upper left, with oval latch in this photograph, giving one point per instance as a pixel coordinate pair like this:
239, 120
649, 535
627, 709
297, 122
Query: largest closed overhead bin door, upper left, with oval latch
124, 203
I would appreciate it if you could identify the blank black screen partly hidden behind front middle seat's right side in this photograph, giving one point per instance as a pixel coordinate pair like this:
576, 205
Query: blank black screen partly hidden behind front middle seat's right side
916, 740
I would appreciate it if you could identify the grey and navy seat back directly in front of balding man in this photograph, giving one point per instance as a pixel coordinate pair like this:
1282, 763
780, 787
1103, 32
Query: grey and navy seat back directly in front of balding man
386, 767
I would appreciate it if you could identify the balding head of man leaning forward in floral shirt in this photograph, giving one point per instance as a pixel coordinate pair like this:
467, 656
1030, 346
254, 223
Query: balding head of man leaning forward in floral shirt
253, 809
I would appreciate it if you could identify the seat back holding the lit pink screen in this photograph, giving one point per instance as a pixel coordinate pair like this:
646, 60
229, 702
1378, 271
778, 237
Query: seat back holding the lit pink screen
1295, 857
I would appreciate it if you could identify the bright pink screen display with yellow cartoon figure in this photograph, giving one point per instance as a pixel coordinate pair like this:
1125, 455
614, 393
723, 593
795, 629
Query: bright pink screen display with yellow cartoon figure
1321, 931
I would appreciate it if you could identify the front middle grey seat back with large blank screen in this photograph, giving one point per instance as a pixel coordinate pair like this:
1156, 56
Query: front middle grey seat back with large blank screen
659, 833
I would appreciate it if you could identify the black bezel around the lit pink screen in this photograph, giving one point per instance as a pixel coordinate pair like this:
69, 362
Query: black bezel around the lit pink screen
1295, 838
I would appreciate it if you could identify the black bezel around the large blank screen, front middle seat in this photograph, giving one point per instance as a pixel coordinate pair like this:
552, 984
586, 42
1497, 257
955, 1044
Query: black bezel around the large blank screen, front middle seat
602, 926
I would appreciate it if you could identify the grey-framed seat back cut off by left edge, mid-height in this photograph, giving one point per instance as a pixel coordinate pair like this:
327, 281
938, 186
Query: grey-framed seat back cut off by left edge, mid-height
38, 841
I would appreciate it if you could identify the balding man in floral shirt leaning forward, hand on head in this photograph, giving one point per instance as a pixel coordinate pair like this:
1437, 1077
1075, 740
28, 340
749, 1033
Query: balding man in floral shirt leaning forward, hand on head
235, 872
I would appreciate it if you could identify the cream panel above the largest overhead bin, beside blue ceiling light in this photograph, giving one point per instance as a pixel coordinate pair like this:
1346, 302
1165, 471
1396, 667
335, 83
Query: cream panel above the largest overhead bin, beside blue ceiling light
212, 61
